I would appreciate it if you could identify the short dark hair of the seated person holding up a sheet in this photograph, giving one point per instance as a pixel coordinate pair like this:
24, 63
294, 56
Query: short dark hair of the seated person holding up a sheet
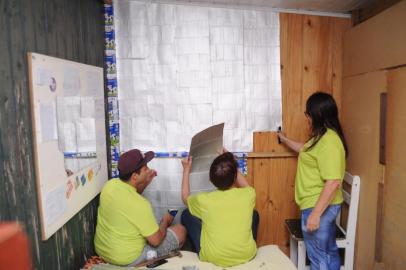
223, 171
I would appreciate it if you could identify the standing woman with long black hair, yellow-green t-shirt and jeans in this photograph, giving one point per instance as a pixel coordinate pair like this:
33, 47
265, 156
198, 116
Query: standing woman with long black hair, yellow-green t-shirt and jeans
319, 175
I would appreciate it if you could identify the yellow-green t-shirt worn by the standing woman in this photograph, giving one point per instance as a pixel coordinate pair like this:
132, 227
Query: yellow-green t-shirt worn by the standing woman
325, 161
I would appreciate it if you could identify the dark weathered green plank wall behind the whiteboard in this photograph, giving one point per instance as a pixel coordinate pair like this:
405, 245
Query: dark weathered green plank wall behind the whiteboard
71, 30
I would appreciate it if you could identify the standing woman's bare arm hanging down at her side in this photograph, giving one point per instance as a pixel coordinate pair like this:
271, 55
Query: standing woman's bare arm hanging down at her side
327, 195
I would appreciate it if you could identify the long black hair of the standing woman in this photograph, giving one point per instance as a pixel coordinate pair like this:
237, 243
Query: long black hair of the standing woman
322, 110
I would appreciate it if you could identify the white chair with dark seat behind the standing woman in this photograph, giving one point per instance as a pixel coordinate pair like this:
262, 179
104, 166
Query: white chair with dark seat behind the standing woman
345, 238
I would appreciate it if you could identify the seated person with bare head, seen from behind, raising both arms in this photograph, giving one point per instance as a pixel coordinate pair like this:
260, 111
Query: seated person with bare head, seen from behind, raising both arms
221, 224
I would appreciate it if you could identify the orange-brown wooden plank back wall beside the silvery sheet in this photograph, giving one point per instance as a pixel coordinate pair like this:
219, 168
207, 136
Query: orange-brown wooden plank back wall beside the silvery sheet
311, 60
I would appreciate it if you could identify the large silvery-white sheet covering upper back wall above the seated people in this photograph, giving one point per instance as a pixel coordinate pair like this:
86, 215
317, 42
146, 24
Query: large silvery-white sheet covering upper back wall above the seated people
182, 68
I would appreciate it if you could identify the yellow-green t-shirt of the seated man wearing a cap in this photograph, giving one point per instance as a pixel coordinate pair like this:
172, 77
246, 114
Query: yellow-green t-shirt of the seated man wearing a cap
124, 220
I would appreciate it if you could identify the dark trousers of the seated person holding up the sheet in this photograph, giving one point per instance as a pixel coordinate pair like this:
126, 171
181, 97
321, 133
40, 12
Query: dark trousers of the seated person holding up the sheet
193, 227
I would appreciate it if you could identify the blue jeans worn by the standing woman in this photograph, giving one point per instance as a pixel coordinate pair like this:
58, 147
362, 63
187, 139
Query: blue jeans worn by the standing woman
321, 244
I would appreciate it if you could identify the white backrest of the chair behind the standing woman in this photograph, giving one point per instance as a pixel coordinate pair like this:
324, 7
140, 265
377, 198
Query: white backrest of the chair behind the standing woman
352, 200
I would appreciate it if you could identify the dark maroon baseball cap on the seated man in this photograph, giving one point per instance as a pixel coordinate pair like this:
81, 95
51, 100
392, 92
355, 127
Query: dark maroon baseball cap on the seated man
133, 160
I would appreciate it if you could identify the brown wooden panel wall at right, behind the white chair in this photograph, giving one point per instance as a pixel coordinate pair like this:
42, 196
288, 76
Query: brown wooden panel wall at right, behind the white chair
365, 77
